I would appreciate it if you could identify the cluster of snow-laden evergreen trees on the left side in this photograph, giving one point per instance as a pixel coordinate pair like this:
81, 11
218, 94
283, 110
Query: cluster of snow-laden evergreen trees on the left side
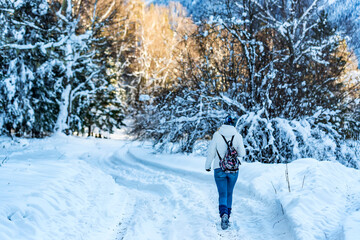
52, 74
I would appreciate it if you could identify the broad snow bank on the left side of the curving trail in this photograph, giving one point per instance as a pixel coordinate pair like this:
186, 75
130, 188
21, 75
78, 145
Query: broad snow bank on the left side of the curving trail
45, 194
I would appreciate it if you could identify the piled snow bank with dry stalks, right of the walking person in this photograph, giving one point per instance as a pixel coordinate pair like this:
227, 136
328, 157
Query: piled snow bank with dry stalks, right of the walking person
318, 202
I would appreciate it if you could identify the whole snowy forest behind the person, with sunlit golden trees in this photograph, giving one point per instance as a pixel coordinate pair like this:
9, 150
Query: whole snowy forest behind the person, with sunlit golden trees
287, 69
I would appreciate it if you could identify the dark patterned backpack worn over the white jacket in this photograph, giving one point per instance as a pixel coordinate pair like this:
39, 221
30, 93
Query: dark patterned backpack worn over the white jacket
230, 162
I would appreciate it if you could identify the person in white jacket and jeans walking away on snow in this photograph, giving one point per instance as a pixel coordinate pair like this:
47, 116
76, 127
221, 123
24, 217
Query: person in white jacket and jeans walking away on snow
221, 152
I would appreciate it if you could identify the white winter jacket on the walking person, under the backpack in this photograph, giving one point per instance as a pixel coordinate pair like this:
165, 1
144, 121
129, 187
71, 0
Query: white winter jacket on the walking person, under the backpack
218, 143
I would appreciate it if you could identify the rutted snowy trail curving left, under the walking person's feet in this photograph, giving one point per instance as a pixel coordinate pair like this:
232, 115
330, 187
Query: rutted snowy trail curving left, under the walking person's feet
170, 203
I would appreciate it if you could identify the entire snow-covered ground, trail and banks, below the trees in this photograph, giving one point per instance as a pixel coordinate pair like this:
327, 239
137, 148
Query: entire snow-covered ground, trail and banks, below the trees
75, 188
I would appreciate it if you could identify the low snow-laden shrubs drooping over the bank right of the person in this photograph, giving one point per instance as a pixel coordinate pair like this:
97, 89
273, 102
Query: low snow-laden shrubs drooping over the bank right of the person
280, 140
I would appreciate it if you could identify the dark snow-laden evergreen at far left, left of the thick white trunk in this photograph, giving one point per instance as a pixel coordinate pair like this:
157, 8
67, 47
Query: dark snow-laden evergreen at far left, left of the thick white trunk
28, 73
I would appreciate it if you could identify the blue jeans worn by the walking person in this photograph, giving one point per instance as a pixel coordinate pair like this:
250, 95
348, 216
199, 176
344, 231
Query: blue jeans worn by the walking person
225, 183
